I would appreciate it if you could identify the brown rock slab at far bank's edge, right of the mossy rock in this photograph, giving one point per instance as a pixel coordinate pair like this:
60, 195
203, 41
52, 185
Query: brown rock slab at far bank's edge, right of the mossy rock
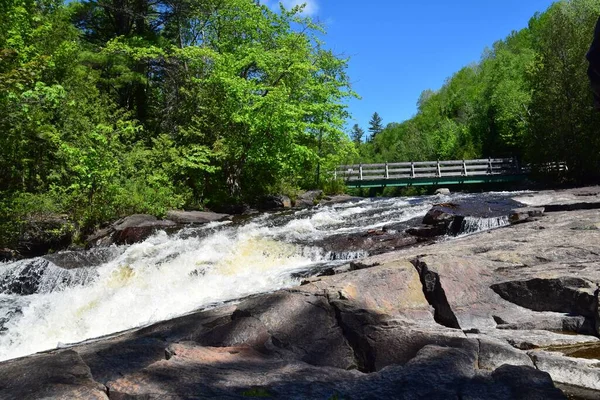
129, 230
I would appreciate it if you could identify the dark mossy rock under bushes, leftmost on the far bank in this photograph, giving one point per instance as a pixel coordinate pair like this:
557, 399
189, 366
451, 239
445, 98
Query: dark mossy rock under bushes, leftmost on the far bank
40, 235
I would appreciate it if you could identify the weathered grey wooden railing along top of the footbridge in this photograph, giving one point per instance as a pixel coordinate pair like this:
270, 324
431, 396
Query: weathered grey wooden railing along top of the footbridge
428, 169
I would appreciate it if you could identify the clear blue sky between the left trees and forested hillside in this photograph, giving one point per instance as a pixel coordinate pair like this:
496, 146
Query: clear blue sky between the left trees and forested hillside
398, 48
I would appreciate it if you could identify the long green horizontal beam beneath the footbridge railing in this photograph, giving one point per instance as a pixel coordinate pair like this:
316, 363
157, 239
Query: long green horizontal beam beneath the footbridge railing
440, 181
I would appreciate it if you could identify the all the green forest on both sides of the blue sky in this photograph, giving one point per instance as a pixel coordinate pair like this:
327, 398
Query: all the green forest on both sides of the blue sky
115, 107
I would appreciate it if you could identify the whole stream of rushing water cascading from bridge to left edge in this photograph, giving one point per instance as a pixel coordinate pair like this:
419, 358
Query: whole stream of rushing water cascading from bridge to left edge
73, 296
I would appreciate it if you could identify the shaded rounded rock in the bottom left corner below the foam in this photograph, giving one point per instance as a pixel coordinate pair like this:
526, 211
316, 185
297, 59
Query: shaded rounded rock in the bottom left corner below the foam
60, 375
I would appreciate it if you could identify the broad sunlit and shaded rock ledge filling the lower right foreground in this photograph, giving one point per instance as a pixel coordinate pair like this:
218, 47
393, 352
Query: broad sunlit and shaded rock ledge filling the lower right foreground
508, 314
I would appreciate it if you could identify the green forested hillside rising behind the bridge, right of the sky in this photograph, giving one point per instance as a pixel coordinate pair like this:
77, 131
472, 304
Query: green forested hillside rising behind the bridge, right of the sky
528, 97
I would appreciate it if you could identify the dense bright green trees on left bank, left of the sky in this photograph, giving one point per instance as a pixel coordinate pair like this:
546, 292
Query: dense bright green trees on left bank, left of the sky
136, 106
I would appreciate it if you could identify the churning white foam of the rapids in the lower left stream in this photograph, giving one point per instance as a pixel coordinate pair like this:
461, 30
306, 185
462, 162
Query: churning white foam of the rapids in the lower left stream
152, 281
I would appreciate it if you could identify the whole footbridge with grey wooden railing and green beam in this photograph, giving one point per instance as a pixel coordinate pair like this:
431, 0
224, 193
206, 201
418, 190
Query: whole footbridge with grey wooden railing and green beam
438, 173
